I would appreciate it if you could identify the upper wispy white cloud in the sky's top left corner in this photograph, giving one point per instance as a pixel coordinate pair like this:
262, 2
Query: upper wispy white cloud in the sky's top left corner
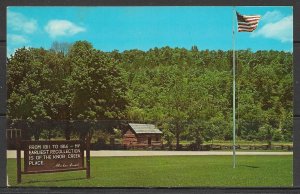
18, 22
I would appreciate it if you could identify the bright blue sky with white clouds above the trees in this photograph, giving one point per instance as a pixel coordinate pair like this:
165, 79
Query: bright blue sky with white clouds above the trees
124, 28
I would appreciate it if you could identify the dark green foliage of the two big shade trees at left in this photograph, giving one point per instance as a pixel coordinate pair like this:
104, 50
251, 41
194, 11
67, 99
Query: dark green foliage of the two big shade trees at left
46, 85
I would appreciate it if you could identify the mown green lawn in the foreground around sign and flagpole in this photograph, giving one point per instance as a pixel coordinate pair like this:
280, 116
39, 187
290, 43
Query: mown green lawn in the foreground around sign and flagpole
168, 171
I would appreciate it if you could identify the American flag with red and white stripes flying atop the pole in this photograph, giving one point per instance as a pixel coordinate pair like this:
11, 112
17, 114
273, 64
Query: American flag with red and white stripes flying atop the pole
247, 23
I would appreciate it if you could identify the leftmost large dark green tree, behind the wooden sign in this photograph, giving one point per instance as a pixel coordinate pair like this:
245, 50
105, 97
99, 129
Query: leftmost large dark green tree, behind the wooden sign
32, 94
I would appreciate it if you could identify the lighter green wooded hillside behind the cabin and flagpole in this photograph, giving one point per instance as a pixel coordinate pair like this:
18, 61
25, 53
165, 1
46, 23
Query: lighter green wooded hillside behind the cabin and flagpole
191, 91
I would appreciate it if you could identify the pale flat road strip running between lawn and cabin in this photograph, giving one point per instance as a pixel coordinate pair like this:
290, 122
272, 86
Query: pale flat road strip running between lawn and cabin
111, 153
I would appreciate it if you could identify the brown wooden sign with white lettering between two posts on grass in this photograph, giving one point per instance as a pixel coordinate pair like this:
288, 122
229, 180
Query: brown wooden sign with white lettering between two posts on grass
53, 156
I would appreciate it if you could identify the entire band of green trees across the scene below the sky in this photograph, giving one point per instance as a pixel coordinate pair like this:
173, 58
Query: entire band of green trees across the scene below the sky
186, 93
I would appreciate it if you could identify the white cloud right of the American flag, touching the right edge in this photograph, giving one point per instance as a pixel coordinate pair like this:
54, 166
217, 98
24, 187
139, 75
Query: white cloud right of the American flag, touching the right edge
281, 30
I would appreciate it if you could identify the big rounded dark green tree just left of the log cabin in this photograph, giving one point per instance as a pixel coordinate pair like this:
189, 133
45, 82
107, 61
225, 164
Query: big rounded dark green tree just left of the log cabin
95, 87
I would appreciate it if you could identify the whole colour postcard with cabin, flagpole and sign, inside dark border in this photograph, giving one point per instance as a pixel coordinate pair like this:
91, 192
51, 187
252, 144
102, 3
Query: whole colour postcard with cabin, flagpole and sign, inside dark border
150, 96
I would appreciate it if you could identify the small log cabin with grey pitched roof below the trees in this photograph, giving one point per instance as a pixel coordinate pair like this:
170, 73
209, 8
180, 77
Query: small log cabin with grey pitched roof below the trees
142, 136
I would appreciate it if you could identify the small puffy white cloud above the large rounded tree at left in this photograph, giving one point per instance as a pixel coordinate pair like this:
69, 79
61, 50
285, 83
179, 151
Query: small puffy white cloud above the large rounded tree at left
62, 28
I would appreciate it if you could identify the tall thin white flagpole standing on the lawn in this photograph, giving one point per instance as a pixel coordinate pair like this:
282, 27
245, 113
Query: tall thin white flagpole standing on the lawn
233, 84
